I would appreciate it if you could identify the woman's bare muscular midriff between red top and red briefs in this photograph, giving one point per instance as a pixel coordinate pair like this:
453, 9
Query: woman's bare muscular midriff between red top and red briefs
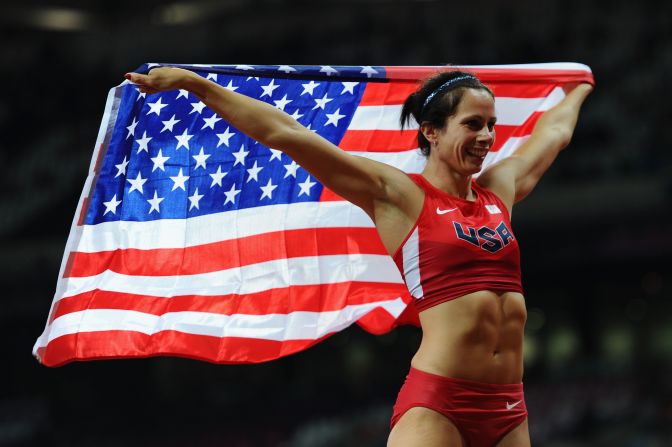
477, 337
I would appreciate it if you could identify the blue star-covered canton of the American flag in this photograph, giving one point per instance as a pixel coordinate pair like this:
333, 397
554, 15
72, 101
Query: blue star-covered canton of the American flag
170, 157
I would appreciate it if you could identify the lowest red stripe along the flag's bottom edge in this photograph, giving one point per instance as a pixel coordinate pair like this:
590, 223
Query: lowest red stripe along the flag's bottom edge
119, 344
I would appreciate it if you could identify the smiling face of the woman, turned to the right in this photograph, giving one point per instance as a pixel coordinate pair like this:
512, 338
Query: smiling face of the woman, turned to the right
467, 136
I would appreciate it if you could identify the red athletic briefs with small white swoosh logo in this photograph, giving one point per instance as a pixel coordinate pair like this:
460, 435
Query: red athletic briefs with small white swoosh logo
482, 412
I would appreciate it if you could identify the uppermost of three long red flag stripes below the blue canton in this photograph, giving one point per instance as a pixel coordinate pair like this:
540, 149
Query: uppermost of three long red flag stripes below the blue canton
227, 254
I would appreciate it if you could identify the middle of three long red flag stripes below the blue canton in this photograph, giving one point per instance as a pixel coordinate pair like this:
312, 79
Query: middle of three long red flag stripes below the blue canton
310, 298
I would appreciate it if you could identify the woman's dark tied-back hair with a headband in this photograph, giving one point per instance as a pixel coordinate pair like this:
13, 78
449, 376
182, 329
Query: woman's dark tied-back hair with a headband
441, 97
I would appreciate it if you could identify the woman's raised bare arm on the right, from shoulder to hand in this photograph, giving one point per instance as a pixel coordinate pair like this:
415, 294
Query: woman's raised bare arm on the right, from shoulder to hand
516, 176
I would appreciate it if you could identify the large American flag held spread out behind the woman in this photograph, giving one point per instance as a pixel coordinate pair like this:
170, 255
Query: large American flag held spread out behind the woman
191, 239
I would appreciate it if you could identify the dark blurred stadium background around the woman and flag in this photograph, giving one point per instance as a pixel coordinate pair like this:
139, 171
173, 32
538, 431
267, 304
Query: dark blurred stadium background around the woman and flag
596, 234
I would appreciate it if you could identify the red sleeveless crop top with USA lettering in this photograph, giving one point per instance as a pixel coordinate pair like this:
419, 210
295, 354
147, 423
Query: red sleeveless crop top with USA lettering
458, 247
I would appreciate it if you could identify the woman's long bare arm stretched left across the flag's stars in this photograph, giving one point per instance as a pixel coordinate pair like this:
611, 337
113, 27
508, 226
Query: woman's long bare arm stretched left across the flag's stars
358, 180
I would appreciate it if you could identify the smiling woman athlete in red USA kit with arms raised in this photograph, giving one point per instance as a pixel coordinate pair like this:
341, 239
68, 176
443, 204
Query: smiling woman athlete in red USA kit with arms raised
449, 235
